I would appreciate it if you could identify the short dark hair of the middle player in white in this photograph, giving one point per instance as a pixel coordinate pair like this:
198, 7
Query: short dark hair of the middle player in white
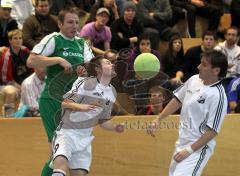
93, 64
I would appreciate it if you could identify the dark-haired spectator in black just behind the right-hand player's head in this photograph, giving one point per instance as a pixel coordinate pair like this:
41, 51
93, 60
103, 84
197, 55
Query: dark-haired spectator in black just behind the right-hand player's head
192, 57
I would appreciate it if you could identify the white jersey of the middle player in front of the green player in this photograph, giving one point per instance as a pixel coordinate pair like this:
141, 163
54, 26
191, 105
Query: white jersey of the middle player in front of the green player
88, 91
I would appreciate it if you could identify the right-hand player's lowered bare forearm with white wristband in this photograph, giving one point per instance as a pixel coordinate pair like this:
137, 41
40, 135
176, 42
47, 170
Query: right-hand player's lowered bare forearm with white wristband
206, 137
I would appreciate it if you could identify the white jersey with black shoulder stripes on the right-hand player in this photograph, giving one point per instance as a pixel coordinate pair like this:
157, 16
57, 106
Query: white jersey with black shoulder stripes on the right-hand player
202, 106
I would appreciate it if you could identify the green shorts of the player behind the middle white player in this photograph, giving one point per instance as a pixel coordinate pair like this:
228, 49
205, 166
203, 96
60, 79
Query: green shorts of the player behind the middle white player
50, 111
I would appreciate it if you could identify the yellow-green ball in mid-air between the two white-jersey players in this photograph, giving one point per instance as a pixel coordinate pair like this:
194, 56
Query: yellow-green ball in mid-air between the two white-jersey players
146, 65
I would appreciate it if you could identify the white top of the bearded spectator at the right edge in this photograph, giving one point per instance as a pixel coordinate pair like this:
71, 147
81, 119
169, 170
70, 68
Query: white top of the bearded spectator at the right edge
233, 56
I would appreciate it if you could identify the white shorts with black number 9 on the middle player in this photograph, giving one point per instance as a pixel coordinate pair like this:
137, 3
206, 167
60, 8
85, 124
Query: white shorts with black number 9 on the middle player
77, 149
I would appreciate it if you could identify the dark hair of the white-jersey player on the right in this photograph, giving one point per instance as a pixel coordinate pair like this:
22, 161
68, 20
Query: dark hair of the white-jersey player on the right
217, 59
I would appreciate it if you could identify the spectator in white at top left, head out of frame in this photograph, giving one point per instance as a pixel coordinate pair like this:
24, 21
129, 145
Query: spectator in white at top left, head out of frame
21, 10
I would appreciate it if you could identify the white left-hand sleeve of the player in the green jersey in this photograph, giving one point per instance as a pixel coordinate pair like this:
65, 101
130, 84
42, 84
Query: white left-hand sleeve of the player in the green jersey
46, 46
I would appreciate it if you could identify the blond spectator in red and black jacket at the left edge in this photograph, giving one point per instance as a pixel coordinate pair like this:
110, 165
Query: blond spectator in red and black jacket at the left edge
13, 70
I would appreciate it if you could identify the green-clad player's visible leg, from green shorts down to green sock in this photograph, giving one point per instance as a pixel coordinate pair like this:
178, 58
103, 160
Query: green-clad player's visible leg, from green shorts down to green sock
48, 109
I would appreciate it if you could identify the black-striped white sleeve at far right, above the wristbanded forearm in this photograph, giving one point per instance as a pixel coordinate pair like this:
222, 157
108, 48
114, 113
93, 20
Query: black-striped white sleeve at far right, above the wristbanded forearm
217, 110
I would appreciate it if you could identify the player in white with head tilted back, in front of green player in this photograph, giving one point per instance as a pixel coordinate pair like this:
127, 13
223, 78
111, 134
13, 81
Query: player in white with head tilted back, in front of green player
87, 104
